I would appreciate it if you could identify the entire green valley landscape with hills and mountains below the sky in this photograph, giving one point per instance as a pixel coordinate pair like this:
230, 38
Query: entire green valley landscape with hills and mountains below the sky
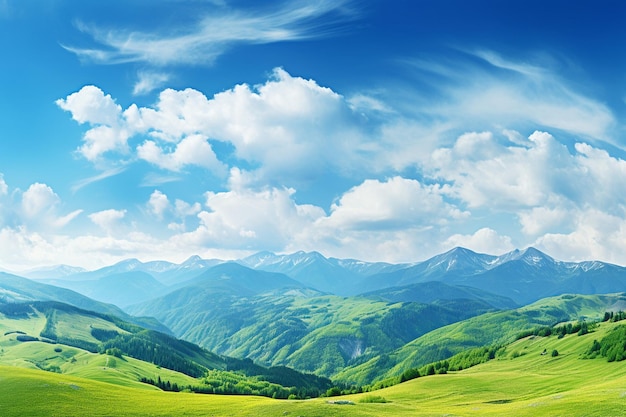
256, 327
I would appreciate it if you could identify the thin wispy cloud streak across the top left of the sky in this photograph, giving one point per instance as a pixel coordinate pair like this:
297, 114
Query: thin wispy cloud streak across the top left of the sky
213, 34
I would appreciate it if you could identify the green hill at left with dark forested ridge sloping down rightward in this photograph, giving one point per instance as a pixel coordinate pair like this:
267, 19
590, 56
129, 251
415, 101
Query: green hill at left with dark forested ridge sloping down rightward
60, 338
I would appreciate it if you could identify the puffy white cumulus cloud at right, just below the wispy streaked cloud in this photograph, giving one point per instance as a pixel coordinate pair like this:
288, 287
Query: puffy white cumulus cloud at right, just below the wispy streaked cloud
486, 173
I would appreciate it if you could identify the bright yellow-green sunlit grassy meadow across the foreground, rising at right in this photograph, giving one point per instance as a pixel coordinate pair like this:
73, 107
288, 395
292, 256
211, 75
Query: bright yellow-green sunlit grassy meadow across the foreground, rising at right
520, 382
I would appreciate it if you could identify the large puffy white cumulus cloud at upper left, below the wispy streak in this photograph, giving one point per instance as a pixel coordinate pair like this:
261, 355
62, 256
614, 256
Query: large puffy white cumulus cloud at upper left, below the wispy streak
314, 128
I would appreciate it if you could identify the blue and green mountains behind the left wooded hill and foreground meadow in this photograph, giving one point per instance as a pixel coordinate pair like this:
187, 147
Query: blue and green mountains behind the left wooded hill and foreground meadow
338, 318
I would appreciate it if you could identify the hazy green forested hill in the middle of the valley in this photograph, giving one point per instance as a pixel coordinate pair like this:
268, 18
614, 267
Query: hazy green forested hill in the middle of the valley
298, 327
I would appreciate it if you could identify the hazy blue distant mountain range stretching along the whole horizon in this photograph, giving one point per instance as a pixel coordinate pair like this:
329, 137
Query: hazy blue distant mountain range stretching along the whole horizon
521, 275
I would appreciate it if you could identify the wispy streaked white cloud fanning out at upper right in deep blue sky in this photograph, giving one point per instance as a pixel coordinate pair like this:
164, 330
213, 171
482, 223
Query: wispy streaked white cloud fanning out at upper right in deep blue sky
506, 93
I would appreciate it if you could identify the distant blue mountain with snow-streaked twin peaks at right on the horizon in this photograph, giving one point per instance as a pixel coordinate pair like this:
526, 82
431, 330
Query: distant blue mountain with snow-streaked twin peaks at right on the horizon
522, 275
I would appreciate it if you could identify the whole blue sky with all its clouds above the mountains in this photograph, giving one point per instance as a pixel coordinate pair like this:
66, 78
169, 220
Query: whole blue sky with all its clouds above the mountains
377, 130
